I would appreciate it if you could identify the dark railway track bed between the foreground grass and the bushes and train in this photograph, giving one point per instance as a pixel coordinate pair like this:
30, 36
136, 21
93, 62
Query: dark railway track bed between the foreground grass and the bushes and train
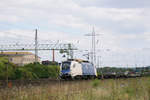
17, 83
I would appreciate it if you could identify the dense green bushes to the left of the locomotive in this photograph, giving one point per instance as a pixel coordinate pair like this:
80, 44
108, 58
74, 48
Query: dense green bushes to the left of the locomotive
29, 71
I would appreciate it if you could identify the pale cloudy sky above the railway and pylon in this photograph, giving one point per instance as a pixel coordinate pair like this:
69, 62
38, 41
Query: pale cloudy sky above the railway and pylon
124, 26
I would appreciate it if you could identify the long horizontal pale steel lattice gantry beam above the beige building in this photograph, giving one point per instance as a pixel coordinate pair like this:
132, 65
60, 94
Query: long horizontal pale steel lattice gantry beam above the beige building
31, 47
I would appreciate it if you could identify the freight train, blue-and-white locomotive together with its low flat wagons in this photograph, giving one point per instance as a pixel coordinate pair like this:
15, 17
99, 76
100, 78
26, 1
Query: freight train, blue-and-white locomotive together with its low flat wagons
81, 69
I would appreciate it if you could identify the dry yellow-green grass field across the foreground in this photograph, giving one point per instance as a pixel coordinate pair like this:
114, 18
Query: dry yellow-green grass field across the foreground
110, 89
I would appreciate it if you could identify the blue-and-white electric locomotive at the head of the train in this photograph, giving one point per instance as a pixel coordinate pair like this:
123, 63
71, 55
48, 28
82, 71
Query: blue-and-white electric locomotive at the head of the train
77, 69
